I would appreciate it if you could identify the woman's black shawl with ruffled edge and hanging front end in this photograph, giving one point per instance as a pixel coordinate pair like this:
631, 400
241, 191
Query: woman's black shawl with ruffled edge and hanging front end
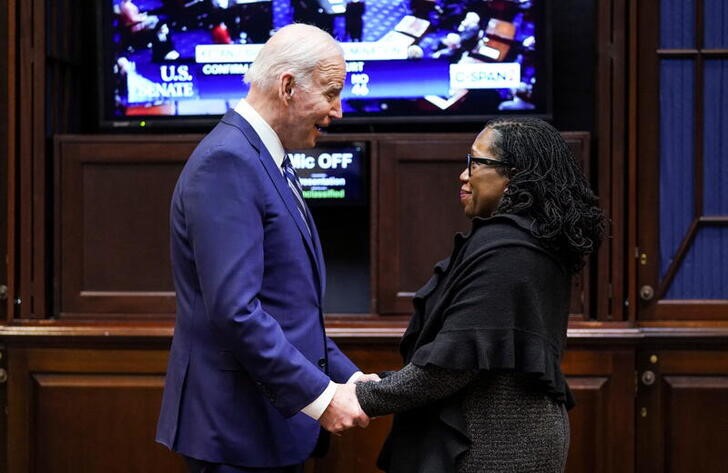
500, 302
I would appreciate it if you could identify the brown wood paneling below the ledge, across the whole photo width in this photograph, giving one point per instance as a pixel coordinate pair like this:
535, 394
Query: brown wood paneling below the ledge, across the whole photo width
112, 385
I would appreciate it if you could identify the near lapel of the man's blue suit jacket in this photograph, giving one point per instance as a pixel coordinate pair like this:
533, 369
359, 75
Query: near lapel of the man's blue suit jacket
281, 186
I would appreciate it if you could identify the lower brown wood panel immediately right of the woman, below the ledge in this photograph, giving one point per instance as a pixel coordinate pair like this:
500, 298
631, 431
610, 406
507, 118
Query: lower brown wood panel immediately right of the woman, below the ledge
602, 423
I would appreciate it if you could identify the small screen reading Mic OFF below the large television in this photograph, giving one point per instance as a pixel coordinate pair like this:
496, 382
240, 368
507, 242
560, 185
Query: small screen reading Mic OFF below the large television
332, 174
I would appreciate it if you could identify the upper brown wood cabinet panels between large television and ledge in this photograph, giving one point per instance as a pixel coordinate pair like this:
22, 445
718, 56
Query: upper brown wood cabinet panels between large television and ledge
112, 197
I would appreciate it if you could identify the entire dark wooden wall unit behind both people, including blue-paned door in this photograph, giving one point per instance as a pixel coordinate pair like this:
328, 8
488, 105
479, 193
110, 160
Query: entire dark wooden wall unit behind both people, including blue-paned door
84, 232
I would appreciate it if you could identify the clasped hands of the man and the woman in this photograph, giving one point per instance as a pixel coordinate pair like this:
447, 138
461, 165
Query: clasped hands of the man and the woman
344, 411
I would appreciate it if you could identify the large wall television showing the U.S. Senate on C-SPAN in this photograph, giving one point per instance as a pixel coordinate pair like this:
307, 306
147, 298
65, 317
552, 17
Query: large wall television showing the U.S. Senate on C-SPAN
181, 62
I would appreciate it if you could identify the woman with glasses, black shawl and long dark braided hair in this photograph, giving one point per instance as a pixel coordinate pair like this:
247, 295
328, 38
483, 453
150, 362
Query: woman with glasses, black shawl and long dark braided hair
482, 389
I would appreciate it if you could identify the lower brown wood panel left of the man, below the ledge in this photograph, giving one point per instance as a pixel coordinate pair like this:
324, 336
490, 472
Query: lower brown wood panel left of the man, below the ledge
91, 410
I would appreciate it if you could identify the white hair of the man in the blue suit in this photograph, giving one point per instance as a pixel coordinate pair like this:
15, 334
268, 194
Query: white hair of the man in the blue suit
297, 48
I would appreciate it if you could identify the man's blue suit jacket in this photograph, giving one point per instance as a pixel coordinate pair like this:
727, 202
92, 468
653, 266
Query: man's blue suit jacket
249, 348
